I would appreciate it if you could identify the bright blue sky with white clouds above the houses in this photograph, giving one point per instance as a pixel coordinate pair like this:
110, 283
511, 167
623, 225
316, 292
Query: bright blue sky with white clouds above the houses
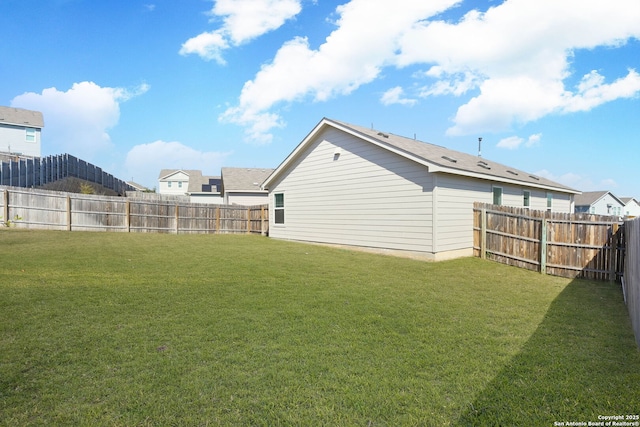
552, 86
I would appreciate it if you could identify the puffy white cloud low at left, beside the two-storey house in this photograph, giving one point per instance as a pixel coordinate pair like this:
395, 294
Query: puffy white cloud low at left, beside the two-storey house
77, 121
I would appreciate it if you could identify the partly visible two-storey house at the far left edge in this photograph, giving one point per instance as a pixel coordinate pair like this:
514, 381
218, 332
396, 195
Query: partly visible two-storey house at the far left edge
20, 131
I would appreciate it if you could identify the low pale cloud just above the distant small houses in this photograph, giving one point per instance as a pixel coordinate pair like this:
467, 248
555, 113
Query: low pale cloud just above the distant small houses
144, 162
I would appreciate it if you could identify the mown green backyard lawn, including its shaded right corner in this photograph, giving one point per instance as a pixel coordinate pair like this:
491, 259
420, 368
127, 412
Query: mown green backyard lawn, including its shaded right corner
147, 329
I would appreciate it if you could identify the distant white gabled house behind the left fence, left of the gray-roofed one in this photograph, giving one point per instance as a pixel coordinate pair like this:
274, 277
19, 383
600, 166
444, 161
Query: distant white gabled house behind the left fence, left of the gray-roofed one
199, 188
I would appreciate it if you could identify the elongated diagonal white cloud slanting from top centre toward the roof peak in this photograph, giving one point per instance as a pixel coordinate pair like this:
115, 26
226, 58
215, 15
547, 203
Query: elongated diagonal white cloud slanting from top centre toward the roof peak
365, 41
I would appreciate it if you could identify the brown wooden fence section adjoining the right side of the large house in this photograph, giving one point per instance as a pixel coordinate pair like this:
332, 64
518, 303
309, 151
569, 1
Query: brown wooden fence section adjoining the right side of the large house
567, 245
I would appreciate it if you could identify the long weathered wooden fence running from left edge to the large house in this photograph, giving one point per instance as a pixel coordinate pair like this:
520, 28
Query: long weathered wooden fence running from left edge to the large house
40, 209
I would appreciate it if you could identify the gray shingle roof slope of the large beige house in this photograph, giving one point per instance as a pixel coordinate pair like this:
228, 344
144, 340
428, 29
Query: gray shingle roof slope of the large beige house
450, 160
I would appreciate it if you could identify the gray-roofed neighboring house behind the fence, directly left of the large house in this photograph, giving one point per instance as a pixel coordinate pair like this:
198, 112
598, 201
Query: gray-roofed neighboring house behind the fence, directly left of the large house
242, 186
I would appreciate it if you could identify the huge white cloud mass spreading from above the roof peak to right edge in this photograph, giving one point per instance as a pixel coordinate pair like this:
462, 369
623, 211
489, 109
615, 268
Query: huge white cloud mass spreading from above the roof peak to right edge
514, 59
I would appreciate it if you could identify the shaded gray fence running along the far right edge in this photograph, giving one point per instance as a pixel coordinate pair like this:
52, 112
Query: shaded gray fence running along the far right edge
631, 278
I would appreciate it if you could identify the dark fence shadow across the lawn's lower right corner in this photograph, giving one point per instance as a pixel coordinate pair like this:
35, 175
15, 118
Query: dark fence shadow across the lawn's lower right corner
581, 362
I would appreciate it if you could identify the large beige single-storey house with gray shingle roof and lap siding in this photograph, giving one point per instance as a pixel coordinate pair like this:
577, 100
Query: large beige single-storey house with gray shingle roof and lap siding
354, 186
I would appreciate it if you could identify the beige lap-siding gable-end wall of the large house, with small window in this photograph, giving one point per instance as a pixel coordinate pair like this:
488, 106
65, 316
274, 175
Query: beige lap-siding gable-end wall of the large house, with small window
365, 196
